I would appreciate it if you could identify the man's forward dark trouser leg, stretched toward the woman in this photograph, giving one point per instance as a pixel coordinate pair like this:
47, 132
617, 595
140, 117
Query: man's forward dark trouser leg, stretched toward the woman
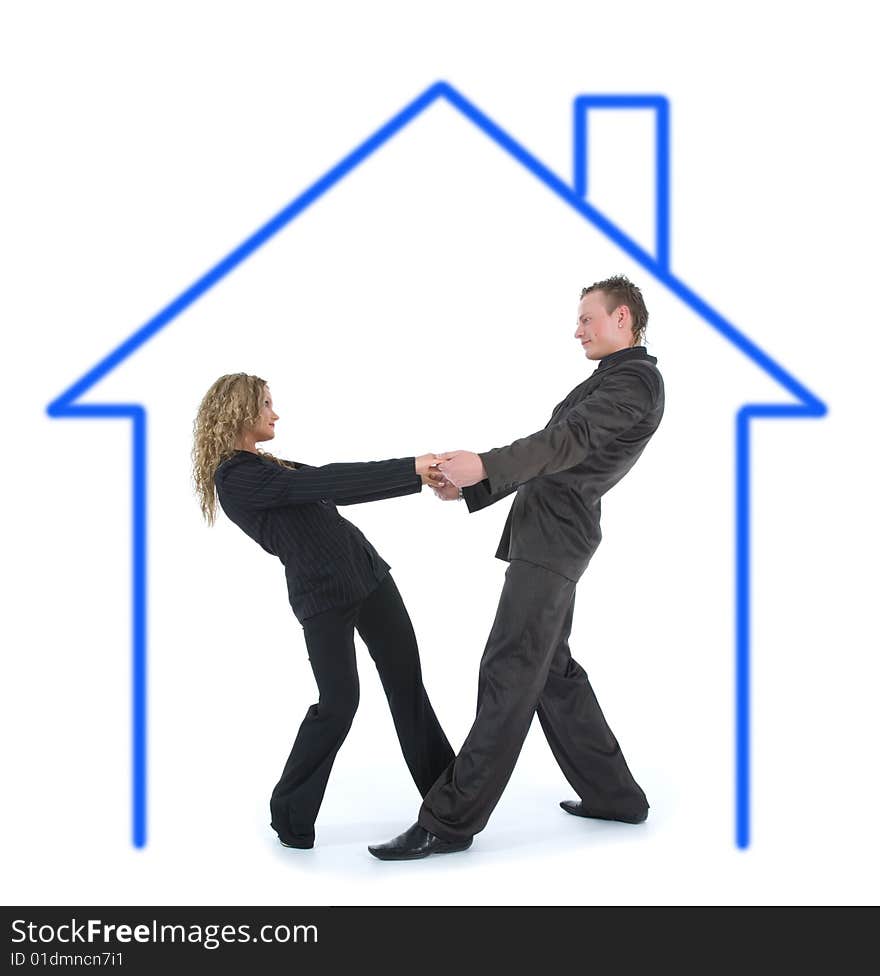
531, 613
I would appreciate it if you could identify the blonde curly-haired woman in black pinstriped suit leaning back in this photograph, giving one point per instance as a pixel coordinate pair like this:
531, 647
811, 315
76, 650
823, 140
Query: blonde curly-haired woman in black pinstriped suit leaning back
337, 583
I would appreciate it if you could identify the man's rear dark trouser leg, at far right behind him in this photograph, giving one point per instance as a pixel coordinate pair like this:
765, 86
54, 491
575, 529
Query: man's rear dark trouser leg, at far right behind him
583, 744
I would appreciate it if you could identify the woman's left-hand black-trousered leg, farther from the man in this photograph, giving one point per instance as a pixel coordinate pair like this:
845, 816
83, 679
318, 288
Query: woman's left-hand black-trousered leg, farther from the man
297, 796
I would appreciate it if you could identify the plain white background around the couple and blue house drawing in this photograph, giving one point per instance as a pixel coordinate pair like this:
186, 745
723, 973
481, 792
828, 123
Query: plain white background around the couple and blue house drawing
142, 142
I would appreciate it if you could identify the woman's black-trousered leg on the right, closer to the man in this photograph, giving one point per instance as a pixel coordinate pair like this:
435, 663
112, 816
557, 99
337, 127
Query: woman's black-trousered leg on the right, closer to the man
386, 629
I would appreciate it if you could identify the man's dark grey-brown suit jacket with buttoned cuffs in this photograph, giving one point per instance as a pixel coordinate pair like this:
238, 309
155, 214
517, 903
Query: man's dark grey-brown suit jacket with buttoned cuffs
595, 435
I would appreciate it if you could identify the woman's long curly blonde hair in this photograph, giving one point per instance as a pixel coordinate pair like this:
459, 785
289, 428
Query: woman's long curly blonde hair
230, 406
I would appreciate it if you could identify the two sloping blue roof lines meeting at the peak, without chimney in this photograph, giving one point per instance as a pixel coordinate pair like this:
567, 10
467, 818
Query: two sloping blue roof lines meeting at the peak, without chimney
61, 406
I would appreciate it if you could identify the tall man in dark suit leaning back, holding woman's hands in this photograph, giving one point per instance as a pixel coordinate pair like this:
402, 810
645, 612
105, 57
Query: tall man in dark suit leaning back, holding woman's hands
595, 435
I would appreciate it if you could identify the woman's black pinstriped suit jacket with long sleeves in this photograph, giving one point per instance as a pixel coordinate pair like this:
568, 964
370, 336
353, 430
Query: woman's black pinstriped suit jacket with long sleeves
291, 513
